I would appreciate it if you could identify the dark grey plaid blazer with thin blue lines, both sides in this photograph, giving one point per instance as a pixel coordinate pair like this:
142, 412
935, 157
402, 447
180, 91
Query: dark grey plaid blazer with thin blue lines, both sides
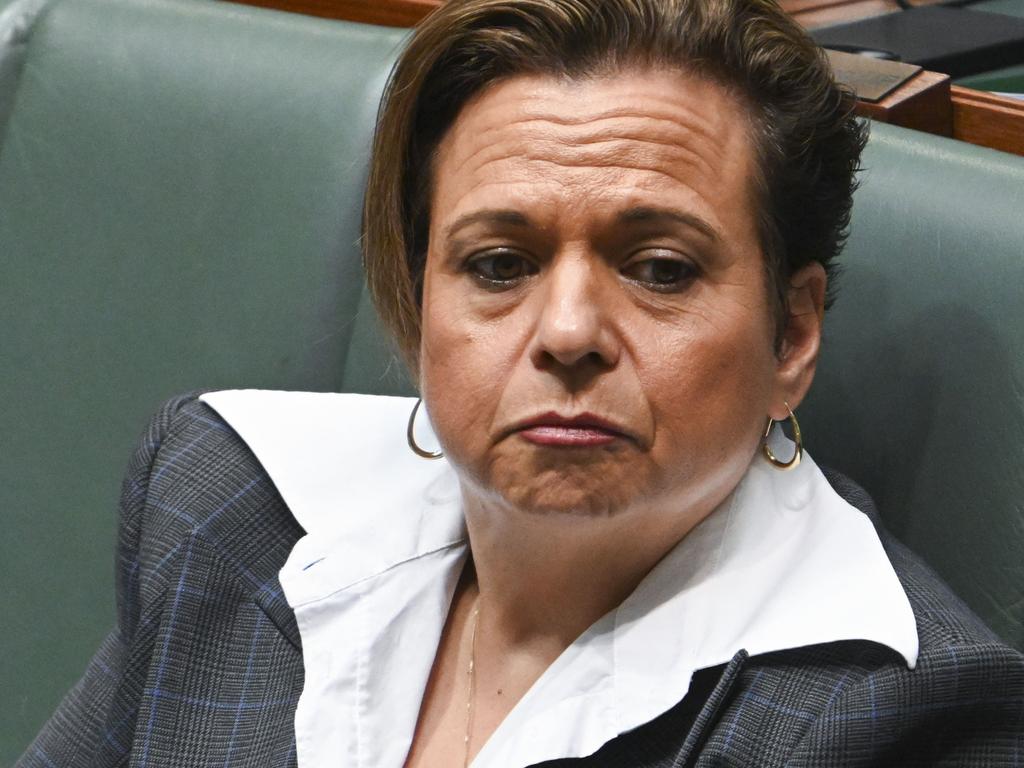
205, 666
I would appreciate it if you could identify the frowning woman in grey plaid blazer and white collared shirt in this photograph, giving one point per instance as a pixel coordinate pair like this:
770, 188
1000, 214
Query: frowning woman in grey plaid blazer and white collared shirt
601, 232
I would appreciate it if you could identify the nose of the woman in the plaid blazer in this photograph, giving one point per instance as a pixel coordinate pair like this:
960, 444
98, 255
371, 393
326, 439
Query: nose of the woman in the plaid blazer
574, 328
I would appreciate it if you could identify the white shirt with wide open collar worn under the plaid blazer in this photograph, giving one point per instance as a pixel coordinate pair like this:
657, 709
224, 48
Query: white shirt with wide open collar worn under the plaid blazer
783, 564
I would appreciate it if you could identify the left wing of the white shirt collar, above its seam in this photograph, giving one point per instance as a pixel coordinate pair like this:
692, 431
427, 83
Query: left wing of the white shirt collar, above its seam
342, 465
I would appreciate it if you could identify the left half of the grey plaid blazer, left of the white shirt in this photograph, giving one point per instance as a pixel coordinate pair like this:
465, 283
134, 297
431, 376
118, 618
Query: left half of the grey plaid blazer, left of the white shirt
203, 537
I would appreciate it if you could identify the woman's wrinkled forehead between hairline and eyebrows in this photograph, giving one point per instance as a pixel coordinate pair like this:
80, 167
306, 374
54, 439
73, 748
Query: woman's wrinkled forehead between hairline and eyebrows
637, 138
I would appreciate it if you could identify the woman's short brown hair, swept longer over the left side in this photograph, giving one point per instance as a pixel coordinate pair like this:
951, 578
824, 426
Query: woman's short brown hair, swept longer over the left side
806, 141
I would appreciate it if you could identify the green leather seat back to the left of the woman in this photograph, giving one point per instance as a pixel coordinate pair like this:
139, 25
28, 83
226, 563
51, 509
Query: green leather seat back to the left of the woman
181, 191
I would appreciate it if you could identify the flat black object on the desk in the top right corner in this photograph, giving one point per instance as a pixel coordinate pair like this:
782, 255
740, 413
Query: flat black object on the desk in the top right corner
954, 41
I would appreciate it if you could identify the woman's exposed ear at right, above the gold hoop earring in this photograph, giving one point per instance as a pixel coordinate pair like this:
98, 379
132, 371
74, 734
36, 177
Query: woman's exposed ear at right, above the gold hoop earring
798, 357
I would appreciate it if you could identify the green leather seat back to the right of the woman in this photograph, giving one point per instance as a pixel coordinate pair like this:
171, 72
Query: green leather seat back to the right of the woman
920, 393
